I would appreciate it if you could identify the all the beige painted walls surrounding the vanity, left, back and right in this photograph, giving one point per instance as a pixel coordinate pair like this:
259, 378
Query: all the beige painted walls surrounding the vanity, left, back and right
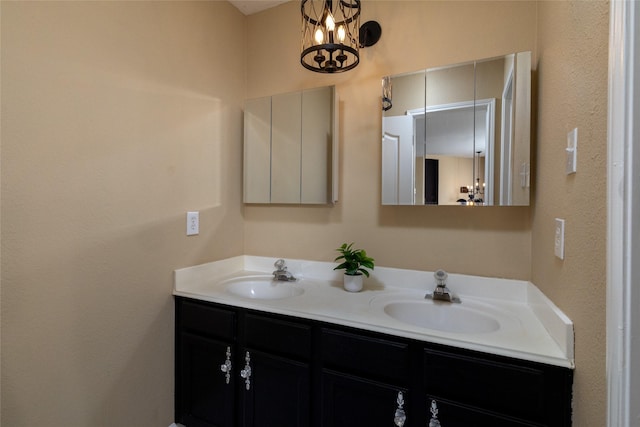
117, 117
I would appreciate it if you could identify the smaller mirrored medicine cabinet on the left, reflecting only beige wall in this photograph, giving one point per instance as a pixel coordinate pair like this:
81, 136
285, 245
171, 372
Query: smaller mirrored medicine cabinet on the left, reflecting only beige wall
290, 148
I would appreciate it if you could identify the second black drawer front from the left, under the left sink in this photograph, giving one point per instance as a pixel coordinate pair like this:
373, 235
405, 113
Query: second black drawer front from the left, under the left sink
278, 335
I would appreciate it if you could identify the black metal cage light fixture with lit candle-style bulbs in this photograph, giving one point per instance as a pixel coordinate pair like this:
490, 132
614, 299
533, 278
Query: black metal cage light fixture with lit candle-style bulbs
332, 36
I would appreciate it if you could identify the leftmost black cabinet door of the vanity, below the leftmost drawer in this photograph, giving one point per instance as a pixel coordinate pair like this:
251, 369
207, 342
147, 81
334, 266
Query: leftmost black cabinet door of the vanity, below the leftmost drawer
206, 398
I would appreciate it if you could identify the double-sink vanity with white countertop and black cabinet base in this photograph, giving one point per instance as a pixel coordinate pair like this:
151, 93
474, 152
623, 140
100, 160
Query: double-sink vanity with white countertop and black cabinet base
243, 361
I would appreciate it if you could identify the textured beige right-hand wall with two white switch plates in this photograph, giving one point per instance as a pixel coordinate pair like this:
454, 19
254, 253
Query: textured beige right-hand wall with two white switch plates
572, 92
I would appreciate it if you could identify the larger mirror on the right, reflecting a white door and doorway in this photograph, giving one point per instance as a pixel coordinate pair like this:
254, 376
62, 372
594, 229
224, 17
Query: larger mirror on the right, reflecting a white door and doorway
458, 134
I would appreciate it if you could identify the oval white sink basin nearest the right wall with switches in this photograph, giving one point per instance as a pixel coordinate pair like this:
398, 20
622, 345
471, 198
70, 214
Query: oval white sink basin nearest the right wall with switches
444, 317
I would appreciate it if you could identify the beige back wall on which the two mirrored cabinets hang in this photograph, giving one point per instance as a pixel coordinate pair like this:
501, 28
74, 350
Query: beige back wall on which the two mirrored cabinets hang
490, 241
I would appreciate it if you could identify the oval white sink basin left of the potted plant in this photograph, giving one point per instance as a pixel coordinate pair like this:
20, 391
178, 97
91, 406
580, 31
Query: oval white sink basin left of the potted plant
262, 287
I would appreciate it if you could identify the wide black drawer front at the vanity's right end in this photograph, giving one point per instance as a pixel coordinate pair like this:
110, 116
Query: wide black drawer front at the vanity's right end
515, 388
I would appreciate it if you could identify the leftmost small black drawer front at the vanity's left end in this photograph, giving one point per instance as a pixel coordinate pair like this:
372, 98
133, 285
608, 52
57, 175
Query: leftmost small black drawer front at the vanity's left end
205, 319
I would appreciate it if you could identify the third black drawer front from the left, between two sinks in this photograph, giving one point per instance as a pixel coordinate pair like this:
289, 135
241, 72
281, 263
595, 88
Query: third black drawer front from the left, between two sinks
368, 355
